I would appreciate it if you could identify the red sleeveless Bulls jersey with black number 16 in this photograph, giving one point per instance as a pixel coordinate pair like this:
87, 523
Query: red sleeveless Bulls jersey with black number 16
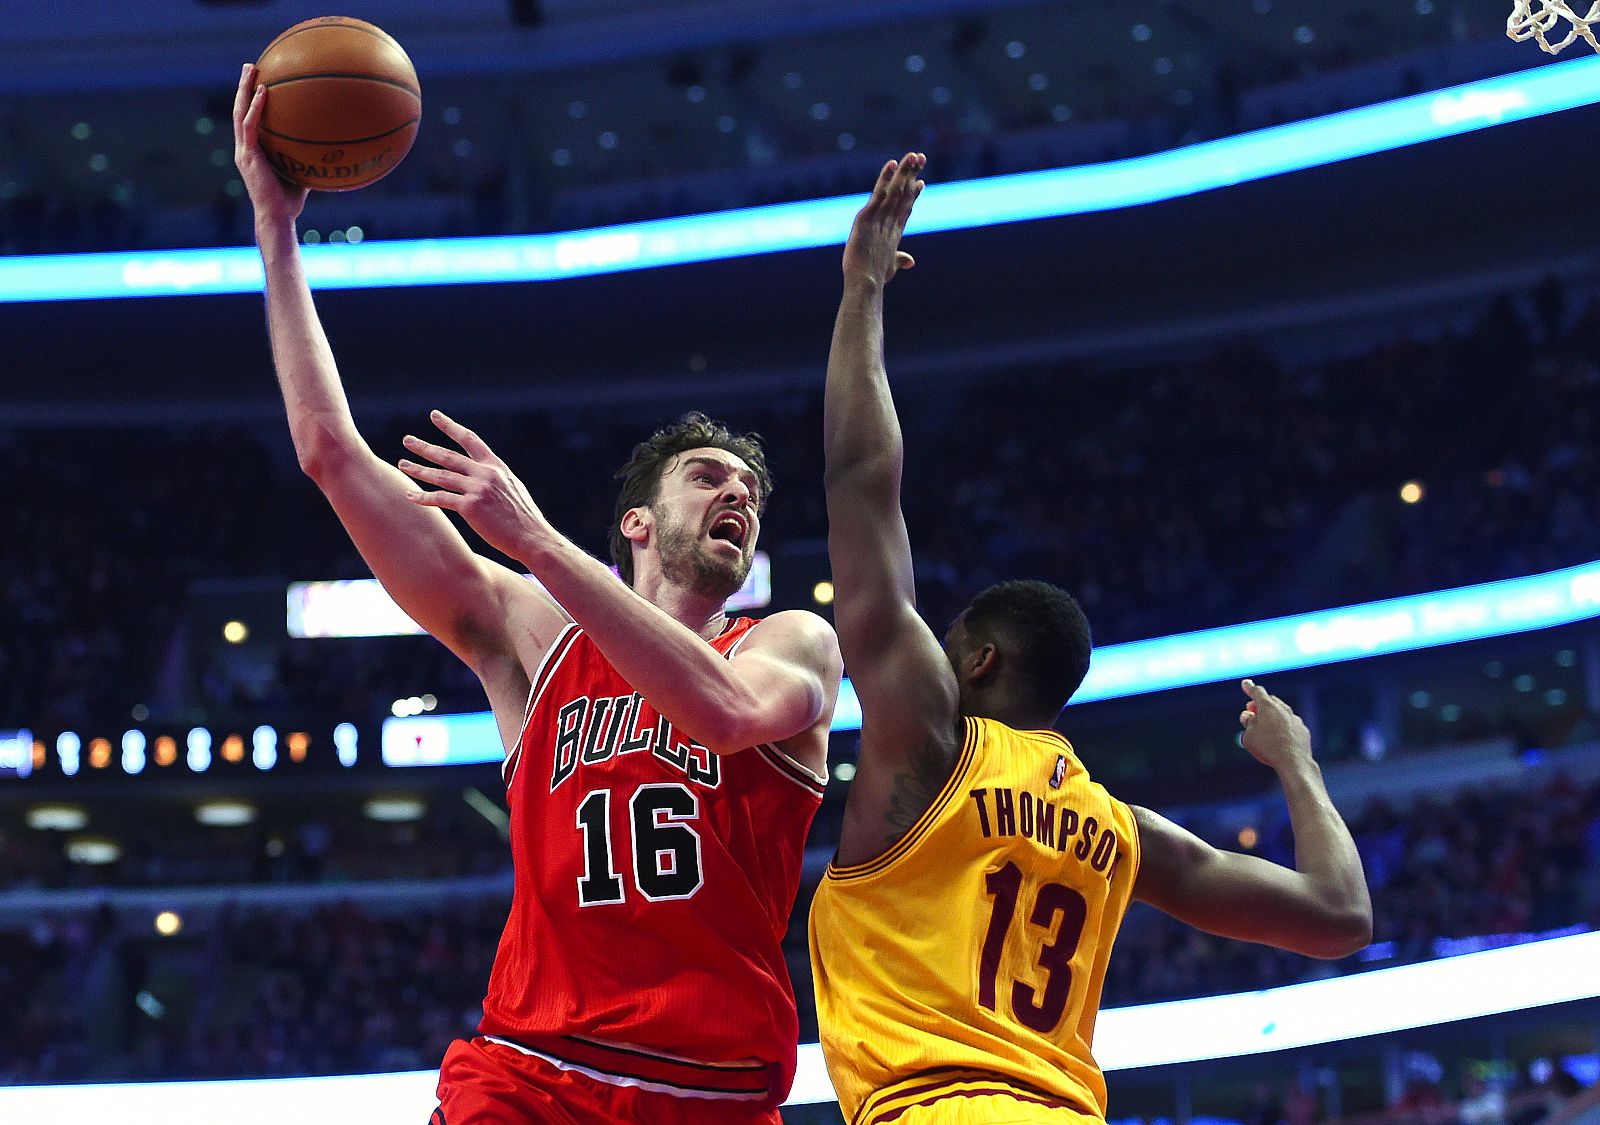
654, 889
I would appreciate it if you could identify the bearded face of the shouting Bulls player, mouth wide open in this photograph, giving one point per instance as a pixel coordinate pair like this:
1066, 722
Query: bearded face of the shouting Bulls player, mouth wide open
708, 519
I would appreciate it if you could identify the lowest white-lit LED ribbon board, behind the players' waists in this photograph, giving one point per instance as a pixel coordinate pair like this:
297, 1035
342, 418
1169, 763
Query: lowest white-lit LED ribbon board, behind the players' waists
1153, 1035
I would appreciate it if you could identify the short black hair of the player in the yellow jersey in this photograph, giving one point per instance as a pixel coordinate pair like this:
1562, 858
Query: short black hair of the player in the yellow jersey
1042, 633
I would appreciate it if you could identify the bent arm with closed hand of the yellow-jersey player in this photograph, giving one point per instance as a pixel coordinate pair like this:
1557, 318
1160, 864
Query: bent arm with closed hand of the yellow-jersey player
1321, 908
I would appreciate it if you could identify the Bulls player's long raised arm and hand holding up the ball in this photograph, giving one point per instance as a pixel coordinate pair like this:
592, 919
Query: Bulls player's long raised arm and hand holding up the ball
486, 614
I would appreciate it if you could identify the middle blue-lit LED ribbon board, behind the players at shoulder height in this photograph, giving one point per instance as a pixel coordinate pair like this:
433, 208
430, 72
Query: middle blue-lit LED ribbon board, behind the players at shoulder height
1186, 660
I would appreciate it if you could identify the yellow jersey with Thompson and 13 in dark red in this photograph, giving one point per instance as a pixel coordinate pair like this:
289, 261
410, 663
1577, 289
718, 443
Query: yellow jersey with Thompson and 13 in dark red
977, 947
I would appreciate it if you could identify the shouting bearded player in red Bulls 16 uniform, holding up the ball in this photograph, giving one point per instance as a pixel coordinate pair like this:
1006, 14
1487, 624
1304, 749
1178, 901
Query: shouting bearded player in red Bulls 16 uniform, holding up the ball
663, 761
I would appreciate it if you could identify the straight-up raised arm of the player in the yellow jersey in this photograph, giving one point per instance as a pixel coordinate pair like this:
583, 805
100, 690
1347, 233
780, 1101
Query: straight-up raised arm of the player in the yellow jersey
906, 687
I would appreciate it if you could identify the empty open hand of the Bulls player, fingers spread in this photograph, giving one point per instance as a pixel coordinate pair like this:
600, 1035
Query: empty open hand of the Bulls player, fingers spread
478, 484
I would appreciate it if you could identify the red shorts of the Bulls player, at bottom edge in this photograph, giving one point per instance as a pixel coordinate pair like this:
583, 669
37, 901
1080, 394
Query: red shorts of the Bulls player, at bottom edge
482, 1083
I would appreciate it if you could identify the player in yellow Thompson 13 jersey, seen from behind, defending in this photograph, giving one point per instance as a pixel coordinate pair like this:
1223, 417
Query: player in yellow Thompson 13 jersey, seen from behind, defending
961, 935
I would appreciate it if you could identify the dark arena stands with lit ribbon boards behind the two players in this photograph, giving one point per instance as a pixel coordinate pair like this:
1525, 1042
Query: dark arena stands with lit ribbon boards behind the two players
1271, 329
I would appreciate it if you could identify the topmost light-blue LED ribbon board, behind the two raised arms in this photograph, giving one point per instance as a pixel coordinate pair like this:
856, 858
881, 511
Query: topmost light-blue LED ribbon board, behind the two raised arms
823, 223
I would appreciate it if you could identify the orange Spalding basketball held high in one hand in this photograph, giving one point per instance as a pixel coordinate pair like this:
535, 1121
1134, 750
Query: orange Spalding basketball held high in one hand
343, 108
